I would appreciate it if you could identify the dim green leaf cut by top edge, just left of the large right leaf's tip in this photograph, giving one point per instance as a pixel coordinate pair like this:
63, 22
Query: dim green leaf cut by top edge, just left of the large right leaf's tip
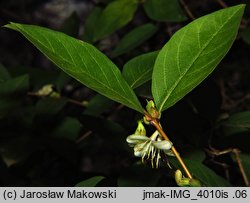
164, 10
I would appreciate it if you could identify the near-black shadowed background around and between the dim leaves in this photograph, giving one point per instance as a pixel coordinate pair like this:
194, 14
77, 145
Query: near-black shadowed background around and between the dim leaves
48, 142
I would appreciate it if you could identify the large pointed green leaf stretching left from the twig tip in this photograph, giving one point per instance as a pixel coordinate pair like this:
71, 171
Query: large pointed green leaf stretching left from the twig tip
82, 61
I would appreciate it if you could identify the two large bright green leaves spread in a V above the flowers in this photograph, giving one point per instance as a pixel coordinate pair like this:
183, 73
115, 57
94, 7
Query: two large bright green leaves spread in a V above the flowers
187, 59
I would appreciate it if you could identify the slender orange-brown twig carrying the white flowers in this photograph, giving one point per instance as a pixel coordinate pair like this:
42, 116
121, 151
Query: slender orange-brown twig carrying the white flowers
156, 124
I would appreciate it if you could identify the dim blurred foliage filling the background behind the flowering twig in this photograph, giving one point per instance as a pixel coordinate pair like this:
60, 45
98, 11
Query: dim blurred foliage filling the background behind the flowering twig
70, 139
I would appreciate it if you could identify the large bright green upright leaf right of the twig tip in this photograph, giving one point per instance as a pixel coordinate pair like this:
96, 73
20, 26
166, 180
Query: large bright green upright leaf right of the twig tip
192, 54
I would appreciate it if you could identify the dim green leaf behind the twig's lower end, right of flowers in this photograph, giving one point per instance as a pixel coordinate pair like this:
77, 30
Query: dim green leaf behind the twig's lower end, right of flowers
200, 171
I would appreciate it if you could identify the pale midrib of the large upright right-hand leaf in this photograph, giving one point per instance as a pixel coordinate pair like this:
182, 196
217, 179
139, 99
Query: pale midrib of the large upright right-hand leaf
195, 59
